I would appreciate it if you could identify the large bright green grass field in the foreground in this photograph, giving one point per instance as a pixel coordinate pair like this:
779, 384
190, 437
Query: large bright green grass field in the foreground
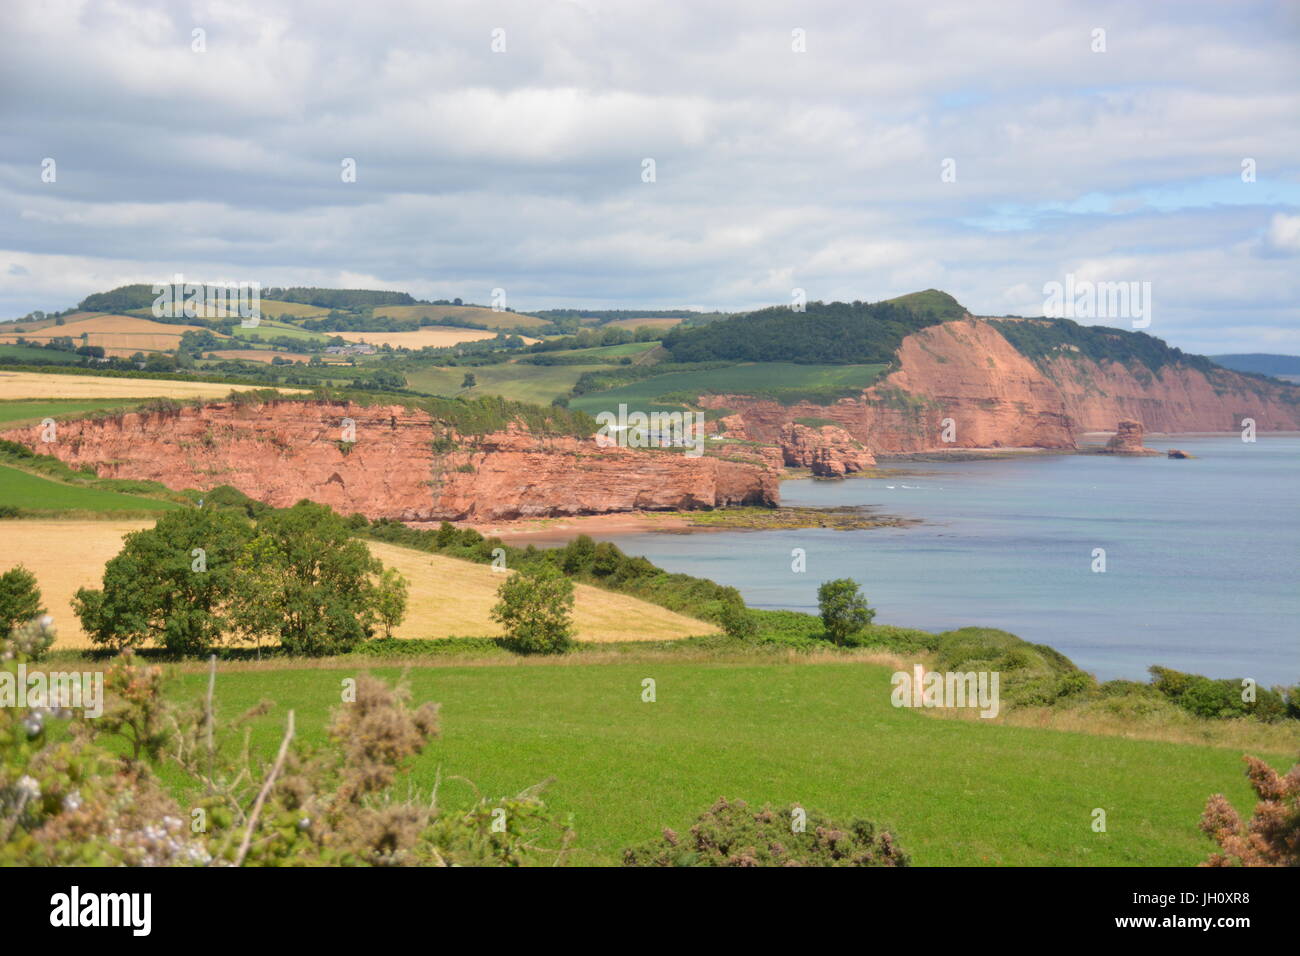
824, 736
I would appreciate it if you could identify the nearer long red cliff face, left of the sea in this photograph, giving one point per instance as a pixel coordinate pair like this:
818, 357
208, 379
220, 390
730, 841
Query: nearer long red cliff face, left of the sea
283, 452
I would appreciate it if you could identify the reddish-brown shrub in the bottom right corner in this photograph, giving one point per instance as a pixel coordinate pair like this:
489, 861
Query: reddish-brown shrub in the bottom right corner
1272, 838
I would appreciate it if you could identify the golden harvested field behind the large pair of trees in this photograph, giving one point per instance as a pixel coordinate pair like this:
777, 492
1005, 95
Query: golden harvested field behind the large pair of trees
448, 598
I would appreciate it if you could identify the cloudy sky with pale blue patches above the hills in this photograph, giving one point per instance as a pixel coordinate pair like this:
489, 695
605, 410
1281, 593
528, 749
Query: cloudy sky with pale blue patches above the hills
850, 150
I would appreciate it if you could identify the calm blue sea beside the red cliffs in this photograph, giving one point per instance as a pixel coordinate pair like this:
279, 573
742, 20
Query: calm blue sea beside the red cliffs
1203, 557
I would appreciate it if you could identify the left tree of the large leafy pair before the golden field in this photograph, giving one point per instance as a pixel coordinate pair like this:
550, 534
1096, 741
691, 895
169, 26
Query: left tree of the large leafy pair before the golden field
171, 585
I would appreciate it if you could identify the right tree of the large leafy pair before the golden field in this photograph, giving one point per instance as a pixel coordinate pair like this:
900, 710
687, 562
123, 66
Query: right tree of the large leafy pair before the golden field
307, 581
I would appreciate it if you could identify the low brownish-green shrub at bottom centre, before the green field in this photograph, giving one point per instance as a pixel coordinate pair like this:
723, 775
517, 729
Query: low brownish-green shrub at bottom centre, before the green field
730, 834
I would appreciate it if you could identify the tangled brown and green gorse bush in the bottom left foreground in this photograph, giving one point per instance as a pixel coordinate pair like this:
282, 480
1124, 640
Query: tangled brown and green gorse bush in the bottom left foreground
88, 793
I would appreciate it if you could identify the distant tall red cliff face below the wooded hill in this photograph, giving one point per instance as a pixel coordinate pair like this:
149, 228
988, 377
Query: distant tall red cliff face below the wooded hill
964, 386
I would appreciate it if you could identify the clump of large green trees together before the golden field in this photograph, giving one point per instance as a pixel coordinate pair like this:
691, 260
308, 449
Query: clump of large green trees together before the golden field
201, 577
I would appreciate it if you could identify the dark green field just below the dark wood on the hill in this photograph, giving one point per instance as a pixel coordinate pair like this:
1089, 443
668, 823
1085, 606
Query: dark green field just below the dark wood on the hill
748, 379
